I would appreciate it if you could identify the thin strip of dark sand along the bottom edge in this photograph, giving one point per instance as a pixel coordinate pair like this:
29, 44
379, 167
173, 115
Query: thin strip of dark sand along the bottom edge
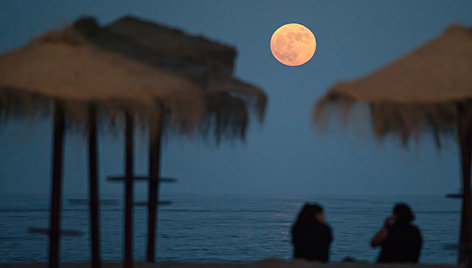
266, 263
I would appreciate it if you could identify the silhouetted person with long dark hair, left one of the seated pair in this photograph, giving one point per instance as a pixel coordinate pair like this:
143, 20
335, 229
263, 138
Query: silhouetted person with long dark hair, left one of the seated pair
311, 237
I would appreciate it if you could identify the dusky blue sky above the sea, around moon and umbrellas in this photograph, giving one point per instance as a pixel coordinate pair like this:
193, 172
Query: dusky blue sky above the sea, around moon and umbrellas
286, 154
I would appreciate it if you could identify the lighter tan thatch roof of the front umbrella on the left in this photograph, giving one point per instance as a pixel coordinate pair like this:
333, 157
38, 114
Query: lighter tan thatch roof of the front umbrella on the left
63, 66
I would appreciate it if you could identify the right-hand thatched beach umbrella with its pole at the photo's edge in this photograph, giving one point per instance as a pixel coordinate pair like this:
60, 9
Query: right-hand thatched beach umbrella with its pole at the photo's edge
427, 89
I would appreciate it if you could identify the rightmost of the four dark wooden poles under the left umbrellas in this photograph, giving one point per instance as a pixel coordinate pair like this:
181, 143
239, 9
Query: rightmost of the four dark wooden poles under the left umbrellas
155, 135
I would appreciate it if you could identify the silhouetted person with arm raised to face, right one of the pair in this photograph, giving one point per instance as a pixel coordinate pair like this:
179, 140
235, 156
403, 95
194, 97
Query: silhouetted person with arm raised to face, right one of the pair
400, 241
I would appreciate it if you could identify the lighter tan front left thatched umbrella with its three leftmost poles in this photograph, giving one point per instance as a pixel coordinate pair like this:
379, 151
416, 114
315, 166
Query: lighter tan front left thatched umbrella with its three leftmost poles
86, 84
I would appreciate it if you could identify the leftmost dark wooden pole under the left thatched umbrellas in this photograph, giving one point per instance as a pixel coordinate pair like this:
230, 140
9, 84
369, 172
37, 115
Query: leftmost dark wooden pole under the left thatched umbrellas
56, 189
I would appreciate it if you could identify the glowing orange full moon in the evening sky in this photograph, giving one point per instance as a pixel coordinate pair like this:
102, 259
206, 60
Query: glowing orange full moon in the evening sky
293, 44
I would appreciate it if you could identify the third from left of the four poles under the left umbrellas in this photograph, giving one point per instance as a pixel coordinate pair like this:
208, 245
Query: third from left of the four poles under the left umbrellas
128, 241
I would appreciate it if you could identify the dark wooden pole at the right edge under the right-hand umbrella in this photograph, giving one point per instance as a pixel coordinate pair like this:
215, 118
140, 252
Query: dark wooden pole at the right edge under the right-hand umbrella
465, 143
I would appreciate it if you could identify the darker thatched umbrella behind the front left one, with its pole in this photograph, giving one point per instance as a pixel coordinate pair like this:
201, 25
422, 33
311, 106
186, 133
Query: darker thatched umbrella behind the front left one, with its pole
206, 63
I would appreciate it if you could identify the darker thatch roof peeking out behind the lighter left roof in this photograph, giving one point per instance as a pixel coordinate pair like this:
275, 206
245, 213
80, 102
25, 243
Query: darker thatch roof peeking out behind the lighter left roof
207, 63
